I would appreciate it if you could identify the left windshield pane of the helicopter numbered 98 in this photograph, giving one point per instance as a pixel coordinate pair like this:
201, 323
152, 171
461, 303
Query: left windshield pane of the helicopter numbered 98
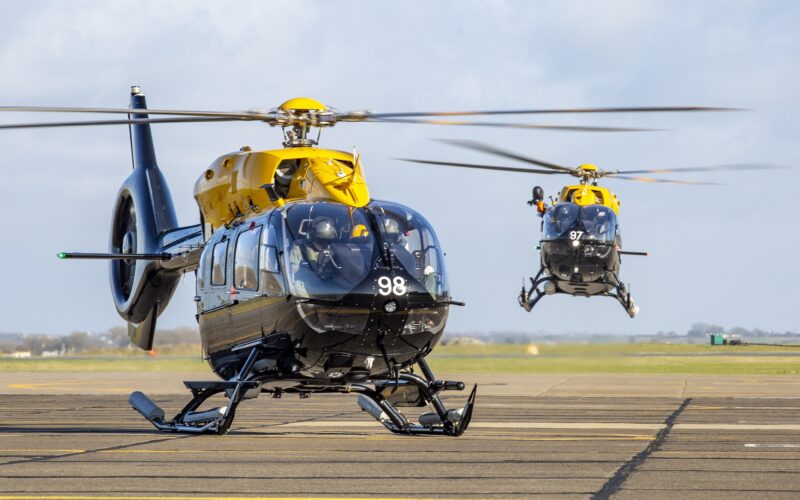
329, 249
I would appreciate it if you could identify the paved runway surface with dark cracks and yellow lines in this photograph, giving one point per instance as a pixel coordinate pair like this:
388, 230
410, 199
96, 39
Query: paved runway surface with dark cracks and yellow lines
550, 436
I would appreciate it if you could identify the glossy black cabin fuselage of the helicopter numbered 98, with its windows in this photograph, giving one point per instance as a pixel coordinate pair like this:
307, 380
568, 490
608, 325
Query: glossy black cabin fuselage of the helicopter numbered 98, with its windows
364, 303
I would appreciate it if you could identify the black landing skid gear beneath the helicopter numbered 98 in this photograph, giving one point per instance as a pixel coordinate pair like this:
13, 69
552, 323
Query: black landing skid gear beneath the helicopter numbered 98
380, 401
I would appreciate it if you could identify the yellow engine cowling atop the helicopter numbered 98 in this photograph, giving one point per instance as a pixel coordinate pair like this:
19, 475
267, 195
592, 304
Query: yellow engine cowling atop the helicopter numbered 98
233, 184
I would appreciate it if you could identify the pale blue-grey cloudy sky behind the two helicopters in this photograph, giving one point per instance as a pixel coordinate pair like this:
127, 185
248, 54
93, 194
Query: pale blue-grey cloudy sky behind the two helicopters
719, 254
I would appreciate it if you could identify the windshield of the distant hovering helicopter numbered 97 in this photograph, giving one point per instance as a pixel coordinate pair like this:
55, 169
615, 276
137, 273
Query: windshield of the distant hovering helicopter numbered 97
569, 221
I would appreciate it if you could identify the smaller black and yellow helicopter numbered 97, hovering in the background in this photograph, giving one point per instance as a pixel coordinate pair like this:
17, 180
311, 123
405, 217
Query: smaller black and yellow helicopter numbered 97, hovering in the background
581, 245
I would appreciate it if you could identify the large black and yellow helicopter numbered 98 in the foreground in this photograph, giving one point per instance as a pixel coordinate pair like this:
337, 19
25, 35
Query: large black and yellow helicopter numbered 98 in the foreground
305, 284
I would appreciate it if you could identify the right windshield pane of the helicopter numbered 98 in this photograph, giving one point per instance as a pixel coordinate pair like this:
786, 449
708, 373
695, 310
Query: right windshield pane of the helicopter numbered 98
412, 245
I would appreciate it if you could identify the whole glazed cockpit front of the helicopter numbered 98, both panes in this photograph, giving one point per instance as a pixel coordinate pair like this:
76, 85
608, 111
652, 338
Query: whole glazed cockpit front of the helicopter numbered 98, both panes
332, 250
